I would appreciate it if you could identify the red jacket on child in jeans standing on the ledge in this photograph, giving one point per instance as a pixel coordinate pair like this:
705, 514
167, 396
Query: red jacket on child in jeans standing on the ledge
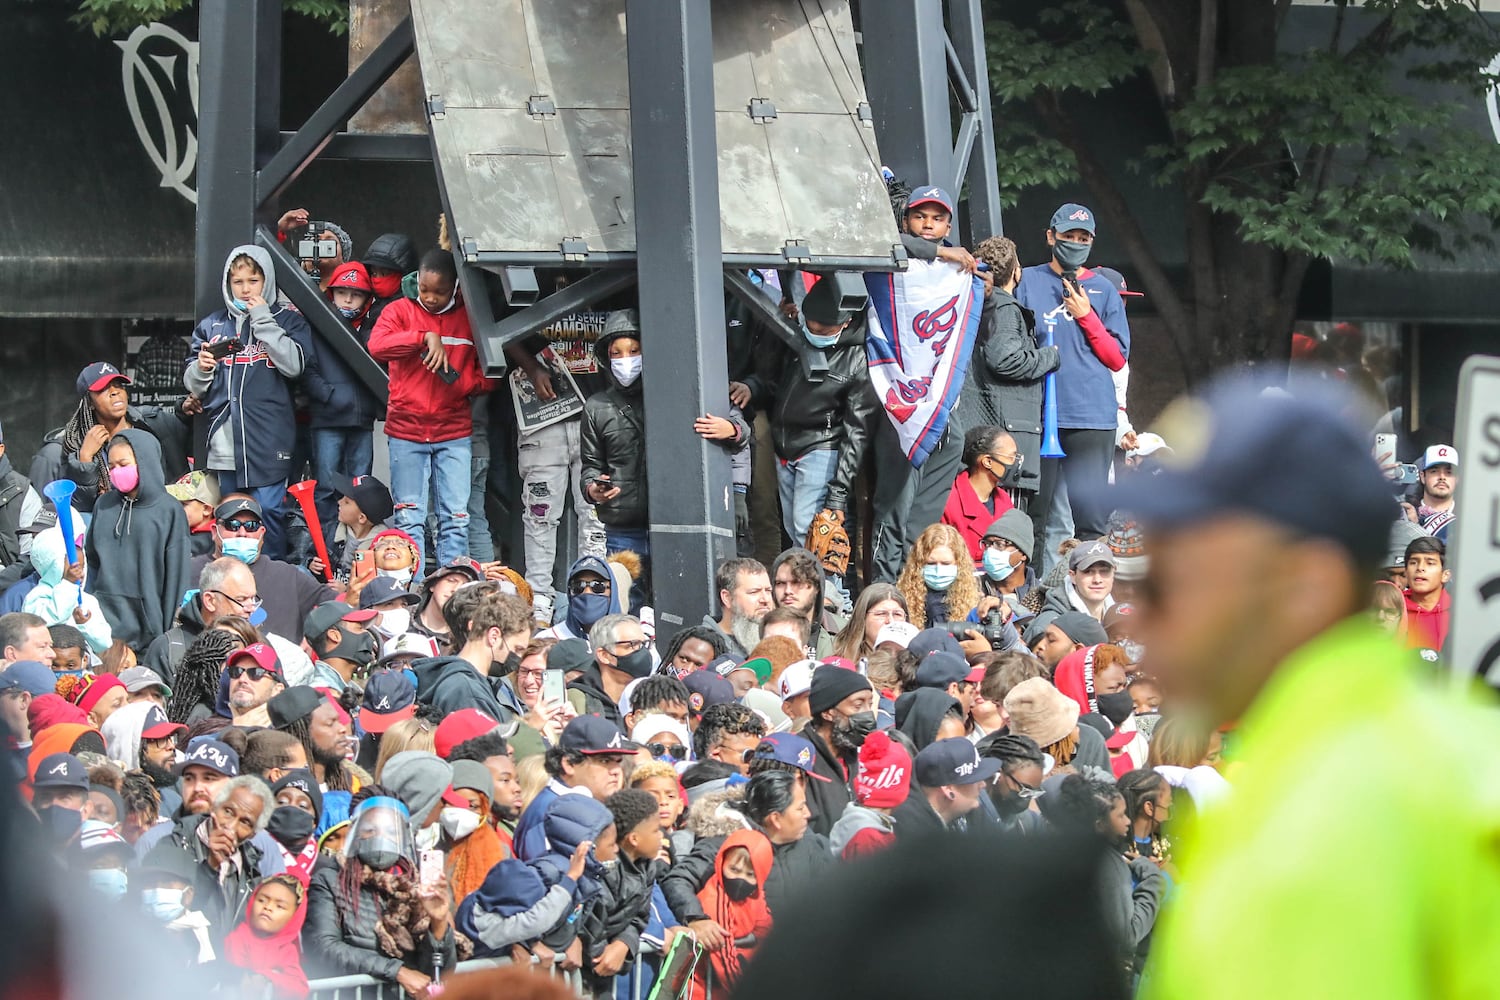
422, 406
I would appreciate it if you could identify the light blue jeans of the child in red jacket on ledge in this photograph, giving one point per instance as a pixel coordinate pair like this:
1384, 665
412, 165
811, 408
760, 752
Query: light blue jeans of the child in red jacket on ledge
439, 472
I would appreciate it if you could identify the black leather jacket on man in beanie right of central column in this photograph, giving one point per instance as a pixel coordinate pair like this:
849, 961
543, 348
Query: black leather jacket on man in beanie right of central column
832, 415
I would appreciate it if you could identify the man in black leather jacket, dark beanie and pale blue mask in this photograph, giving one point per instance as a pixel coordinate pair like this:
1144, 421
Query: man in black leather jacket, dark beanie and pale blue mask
820, 430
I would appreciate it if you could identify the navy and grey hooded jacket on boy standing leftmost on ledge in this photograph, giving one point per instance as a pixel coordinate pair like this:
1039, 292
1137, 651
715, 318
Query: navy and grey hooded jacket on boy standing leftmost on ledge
248, 398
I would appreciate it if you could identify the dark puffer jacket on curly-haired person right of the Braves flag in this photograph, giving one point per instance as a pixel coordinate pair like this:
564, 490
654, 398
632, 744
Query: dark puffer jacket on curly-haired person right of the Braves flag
1004, 386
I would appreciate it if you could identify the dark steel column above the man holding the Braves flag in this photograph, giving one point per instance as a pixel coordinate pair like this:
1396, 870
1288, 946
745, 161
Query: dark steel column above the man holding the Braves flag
907, 79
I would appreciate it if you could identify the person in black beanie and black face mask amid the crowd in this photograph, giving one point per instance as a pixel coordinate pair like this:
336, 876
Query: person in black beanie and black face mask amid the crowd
842, 704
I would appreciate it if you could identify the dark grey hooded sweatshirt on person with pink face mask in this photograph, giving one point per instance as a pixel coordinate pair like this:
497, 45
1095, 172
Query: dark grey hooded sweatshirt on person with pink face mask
139, 551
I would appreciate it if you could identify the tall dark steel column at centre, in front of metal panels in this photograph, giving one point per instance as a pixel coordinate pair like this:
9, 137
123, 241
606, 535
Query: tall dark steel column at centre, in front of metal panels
679, 251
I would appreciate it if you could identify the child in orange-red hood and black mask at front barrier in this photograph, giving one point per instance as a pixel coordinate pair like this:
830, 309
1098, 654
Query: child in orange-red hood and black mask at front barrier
736, 900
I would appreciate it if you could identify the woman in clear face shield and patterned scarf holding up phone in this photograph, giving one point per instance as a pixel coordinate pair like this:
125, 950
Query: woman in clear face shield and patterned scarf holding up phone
373, 917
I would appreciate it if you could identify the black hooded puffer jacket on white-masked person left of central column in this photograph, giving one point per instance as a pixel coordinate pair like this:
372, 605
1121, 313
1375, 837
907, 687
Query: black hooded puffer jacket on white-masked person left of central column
613, 442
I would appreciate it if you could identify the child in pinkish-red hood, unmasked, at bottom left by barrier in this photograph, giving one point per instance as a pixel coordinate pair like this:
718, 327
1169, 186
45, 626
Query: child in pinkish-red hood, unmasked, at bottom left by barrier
266, 944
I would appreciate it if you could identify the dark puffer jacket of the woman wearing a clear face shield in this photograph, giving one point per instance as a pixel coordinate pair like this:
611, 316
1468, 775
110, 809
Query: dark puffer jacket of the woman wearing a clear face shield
341, 936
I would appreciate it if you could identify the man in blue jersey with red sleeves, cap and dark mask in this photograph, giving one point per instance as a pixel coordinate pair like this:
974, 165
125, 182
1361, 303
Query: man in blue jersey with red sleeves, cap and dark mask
1084, 316
